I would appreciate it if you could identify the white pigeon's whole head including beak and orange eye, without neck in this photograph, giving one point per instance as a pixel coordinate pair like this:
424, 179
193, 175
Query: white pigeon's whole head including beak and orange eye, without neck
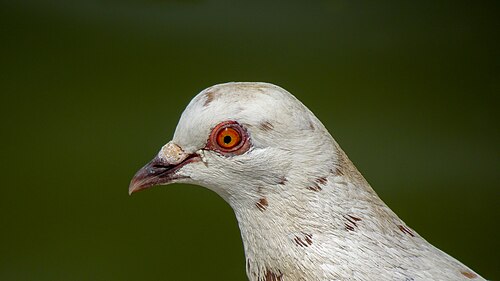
239, 138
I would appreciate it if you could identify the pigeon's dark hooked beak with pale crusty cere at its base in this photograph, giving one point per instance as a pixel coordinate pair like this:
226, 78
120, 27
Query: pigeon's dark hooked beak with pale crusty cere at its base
162, 170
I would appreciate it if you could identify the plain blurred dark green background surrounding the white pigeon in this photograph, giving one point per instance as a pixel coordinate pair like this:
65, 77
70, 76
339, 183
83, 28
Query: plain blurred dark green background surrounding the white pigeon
90, 90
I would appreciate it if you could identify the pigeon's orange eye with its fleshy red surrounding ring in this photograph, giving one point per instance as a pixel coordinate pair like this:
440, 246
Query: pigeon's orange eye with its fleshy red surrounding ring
229, 138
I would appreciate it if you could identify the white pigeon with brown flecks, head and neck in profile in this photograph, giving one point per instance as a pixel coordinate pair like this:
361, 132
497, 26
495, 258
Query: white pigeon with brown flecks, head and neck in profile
304, 211
